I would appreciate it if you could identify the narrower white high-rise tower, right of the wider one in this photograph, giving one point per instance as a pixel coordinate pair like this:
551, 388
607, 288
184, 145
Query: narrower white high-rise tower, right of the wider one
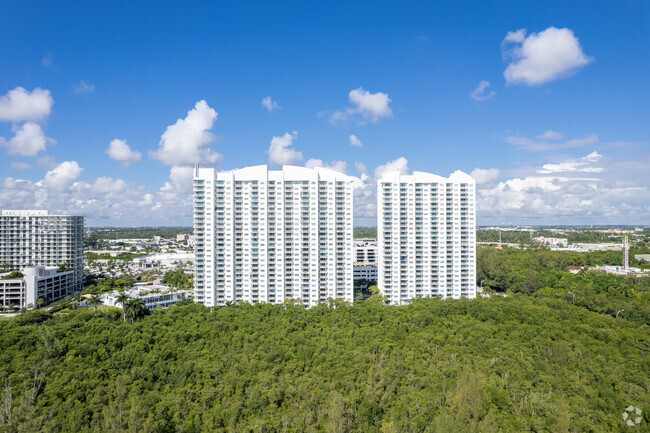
427, 236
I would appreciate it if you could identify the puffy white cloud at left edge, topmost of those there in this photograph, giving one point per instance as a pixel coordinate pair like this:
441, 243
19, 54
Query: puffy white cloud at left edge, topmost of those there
20, 105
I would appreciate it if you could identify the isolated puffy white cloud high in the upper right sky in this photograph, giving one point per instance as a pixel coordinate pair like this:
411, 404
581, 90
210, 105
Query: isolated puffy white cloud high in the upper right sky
542, 57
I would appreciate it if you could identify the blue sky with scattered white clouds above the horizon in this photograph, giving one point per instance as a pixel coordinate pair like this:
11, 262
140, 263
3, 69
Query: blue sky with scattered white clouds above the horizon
106, 106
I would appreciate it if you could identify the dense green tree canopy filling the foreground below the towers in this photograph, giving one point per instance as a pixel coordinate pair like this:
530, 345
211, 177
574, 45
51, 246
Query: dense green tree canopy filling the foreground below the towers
510, 364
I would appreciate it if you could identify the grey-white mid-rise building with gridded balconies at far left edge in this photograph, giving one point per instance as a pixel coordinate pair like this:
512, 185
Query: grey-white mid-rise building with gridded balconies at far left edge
36, 238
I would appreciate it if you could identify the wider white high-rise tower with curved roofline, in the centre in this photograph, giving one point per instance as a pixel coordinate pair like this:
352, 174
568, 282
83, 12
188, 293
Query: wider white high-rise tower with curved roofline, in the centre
271, 236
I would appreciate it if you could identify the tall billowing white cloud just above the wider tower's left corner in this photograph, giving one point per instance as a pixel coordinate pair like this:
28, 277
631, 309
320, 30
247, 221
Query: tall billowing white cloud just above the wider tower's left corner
187, 141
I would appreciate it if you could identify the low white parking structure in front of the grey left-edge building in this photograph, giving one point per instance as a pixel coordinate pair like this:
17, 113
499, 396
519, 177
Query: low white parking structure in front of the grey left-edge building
37, 282
